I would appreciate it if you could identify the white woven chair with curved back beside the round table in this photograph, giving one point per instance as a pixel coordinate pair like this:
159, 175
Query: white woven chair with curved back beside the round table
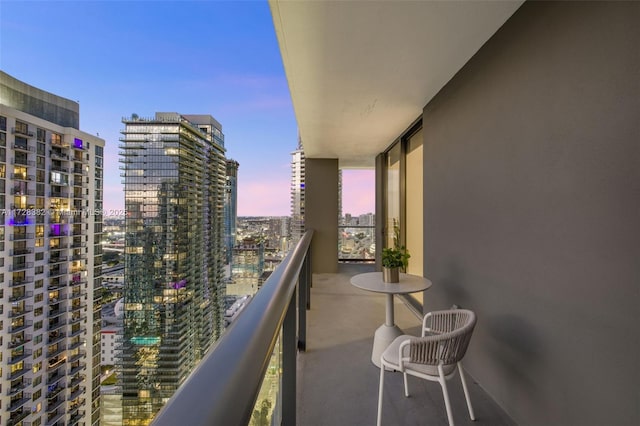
434, 356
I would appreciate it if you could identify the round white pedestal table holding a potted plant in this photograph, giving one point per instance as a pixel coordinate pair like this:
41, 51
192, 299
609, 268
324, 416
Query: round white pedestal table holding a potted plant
387, 332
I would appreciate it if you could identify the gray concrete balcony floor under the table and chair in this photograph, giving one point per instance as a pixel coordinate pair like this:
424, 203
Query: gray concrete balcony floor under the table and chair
337, 382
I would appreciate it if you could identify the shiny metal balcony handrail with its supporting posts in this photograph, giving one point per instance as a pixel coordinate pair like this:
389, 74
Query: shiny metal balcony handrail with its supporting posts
223, 389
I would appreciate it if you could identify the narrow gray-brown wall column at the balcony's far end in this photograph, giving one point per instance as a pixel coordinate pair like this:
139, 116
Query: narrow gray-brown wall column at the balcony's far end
321, 212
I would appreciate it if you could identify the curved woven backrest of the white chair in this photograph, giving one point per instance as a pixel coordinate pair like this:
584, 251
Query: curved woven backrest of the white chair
453, 330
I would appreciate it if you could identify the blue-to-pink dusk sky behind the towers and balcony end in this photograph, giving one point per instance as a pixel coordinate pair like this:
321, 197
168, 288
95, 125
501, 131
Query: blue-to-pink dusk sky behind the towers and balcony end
117, 58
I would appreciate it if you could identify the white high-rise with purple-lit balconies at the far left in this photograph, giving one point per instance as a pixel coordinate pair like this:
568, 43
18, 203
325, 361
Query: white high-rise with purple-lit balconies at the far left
50, 260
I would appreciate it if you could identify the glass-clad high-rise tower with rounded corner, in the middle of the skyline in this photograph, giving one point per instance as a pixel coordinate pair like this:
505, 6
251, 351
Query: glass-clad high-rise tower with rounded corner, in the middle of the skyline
175, 177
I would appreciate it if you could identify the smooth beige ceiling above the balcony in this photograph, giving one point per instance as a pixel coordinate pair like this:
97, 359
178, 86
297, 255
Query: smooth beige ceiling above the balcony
360, 72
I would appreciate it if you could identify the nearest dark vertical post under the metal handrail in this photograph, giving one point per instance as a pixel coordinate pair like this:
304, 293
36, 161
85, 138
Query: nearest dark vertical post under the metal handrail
289, 365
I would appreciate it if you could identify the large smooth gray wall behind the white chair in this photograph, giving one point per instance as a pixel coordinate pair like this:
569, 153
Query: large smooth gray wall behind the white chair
532, 211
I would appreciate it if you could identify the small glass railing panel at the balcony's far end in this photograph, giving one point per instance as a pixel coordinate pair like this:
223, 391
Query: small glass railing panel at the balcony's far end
356, 243
